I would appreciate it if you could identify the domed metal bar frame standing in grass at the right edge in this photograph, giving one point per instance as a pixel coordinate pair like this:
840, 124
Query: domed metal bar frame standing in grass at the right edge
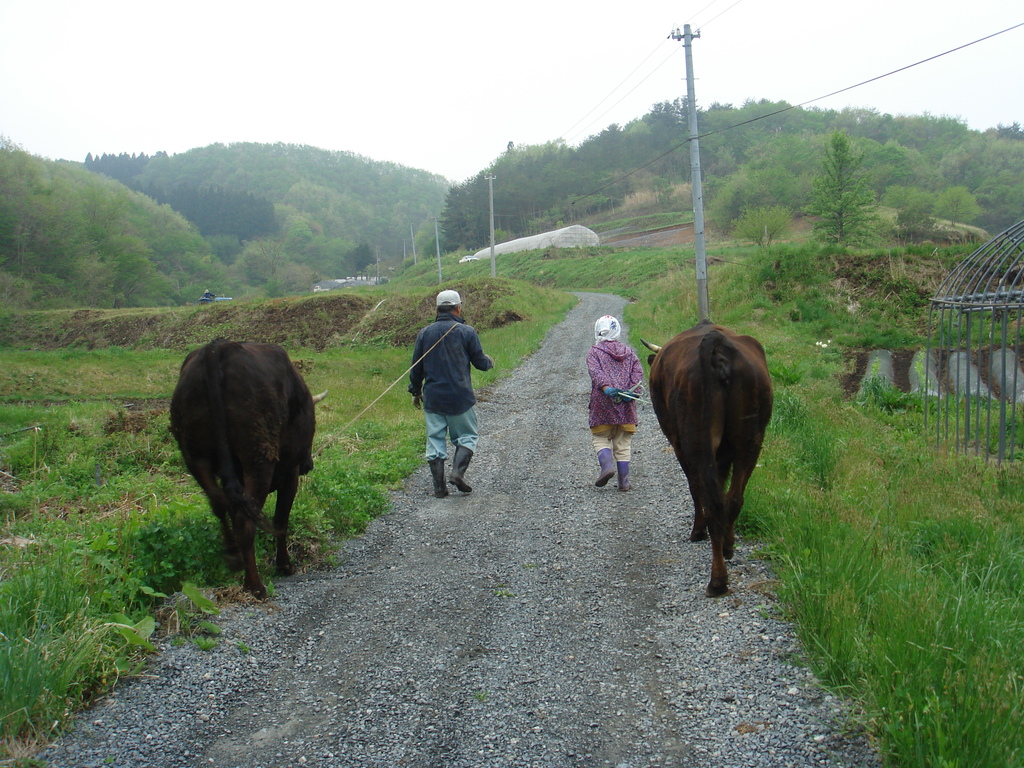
971, 372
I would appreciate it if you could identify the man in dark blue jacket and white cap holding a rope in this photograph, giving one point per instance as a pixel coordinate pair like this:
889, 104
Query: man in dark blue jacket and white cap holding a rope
441, 385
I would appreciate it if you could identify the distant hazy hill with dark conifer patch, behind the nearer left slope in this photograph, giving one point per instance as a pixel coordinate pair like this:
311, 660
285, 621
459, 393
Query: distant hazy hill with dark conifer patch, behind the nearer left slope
242, 192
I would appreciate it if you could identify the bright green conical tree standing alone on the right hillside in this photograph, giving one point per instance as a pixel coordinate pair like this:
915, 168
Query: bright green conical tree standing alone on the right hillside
841, 196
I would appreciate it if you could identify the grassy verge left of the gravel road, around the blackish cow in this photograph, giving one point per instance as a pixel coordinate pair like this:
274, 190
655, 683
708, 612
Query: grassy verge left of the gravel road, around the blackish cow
100, 522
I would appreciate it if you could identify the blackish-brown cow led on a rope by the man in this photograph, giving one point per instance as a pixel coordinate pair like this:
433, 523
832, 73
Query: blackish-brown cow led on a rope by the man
244, 420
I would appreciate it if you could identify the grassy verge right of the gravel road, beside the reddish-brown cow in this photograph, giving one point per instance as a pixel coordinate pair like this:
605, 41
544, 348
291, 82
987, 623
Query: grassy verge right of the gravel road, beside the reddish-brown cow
902, 567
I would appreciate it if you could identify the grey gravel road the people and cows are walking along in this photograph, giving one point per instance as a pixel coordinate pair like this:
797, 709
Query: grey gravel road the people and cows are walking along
539, 621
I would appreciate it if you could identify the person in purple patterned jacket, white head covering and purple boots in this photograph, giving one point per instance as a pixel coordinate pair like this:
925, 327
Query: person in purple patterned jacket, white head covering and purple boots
615, 375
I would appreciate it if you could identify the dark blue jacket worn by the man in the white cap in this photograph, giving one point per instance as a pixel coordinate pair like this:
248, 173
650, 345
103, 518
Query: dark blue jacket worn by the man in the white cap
443, 377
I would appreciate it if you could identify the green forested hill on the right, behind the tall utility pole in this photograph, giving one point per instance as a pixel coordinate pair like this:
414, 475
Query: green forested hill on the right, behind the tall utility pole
763, 154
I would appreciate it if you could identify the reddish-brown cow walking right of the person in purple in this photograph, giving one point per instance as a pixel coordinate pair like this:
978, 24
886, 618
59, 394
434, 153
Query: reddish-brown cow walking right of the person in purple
713, 398
